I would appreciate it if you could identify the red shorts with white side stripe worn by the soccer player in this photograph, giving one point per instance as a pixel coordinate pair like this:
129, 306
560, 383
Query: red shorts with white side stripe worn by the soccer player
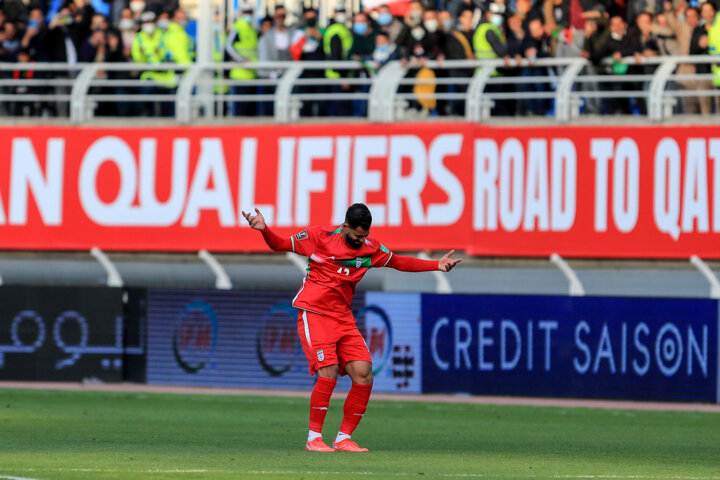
328, 341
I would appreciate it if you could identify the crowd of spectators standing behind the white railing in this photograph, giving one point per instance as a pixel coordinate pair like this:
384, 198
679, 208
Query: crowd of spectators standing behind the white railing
150, 32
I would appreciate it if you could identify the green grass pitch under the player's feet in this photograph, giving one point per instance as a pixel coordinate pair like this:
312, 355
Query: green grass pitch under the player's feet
56, 435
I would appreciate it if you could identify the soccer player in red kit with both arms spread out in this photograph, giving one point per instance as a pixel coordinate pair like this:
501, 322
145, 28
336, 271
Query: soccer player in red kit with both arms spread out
339, 257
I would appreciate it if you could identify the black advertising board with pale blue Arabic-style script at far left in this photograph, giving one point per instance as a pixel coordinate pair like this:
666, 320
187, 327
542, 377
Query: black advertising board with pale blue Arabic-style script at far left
63, 333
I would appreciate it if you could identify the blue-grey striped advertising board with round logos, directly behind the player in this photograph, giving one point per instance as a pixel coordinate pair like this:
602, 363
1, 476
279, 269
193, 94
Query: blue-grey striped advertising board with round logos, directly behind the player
227, 339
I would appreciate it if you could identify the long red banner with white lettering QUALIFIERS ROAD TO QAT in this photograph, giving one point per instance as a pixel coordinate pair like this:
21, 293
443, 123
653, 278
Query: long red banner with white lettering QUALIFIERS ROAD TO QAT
645, 192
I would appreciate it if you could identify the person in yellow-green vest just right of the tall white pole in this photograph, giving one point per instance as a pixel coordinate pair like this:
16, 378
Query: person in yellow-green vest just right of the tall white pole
242, 46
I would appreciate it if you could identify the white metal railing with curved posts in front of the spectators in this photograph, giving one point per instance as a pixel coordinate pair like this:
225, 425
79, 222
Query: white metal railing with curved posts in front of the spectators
475, 88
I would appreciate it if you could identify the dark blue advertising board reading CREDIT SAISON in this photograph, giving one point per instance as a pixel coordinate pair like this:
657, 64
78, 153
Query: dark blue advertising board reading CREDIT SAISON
630, 348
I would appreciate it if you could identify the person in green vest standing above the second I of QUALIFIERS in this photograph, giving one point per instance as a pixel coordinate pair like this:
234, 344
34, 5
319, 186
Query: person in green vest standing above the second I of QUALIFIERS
337, 42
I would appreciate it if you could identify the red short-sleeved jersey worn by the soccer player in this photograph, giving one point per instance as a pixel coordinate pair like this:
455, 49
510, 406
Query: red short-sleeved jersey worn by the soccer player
334, 269
